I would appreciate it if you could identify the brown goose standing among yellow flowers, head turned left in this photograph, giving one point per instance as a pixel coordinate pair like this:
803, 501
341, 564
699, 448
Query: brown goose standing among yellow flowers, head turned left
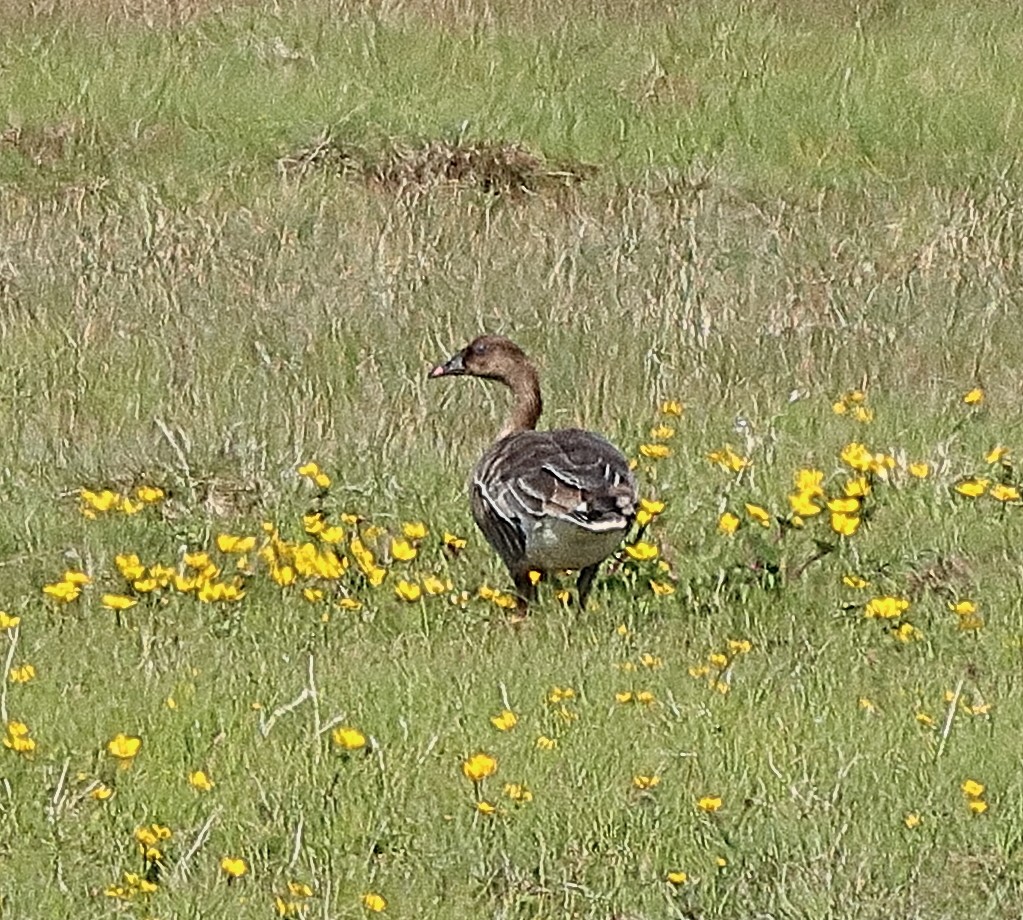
546, 501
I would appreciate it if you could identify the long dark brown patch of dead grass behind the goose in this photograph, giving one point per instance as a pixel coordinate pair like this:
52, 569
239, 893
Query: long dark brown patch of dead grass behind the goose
495, 168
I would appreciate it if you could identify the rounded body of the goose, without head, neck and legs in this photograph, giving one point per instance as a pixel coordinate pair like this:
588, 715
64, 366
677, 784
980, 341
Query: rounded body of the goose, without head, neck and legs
554, 500
